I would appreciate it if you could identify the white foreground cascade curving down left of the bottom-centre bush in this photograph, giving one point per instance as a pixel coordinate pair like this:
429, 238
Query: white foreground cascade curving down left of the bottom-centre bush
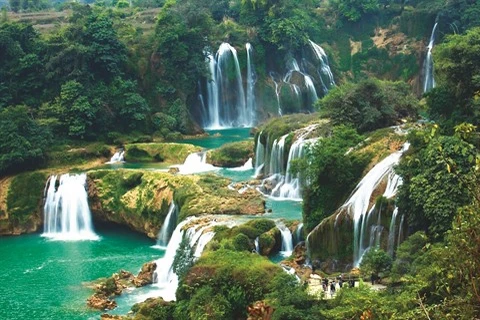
199, 231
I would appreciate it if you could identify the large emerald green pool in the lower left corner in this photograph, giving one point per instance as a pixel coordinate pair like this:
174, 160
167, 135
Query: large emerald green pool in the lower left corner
44, 279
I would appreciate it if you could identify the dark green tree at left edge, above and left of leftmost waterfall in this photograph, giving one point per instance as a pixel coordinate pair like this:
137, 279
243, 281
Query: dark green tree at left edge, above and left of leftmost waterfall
23, 141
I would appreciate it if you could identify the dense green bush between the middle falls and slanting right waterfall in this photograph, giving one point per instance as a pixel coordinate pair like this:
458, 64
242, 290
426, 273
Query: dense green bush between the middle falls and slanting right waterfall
332, 173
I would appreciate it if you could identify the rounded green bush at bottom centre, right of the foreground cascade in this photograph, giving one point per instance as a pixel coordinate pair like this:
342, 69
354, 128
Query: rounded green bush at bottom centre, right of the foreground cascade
239, 277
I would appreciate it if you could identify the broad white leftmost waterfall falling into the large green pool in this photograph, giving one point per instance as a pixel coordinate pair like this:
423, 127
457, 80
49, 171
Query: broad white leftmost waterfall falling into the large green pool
66, 211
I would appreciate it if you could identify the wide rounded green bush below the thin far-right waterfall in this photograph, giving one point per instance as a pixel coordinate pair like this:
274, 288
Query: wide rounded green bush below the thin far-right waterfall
369, 105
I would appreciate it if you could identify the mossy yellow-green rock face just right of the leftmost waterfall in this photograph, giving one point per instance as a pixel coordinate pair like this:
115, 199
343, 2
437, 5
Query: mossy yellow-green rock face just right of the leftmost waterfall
141, 199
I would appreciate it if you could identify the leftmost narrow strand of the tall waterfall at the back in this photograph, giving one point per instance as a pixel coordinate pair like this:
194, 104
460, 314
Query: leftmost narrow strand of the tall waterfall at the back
213, 120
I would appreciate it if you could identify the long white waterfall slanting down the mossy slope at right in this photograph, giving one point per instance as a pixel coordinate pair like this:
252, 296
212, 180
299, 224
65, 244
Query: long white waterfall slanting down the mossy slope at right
358, 203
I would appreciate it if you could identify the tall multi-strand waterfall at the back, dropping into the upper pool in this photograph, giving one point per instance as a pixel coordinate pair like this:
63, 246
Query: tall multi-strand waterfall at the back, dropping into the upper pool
226, 101
